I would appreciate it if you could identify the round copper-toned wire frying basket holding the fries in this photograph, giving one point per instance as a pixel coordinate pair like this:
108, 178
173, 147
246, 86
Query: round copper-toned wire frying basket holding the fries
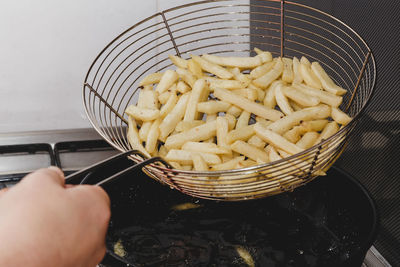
230, 28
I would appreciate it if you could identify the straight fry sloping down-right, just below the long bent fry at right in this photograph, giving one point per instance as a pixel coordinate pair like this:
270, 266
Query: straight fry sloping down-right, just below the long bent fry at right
275, 139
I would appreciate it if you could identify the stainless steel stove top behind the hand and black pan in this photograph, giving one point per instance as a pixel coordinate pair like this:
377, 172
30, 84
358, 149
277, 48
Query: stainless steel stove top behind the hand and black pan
71, 150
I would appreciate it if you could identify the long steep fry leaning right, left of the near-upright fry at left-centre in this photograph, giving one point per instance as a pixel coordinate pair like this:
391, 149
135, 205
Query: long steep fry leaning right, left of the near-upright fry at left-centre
170, 121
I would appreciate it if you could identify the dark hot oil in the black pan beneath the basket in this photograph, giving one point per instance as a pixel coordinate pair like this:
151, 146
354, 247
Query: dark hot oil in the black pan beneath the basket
157, 226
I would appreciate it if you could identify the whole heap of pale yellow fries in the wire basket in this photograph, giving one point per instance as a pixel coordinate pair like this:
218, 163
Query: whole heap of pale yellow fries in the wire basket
219, 113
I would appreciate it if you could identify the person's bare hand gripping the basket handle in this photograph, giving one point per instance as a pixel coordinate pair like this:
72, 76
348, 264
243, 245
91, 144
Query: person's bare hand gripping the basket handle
45, 223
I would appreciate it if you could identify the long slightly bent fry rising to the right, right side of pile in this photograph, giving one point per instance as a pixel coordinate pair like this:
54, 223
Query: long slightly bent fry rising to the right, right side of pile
312, 113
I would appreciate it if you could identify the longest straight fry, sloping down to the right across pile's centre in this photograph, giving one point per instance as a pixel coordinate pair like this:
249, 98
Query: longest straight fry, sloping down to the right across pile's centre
247, 105
